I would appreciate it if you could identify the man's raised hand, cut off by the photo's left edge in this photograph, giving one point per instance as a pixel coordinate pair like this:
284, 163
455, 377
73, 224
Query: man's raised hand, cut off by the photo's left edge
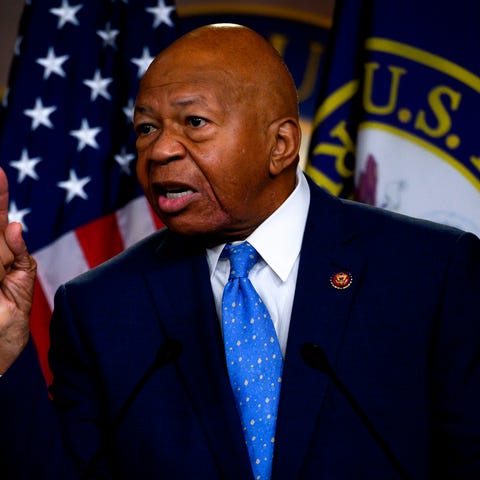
17, 276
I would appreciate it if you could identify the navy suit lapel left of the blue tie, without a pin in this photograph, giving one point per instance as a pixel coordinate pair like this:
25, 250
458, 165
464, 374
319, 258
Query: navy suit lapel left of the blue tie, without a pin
185, 304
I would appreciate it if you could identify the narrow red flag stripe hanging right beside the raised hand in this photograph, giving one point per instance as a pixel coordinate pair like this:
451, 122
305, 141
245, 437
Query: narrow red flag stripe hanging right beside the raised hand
39, 326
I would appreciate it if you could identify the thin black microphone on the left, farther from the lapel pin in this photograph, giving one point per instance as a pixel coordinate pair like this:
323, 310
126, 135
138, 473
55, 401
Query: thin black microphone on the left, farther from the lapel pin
167, 353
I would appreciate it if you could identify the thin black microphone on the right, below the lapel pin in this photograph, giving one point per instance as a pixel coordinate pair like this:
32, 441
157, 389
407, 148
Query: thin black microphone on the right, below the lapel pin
315, 357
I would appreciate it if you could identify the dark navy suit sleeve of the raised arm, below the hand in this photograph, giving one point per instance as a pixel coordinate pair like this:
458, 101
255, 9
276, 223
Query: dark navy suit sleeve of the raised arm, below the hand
45, 439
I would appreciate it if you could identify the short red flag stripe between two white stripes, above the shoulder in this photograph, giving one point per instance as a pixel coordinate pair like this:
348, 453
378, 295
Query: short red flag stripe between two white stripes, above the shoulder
100, 239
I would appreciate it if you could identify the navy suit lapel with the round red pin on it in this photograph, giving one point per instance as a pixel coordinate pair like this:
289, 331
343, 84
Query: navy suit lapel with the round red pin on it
319, 315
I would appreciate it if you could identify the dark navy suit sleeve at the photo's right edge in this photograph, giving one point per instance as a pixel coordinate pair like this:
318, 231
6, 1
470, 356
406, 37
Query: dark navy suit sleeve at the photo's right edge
455, 388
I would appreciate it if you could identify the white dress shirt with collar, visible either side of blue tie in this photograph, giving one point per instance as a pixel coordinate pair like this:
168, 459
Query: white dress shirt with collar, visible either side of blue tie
278, 241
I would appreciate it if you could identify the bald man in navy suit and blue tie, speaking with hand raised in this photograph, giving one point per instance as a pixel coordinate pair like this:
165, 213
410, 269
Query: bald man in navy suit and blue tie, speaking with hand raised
143, 384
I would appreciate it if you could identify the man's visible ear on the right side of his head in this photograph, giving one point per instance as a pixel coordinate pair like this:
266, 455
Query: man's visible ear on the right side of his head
286, 145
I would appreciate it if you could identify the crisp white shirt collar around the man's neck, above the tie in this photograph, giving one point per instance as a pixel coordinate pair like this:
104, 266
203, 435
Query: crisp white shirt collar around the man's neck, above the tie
278, 239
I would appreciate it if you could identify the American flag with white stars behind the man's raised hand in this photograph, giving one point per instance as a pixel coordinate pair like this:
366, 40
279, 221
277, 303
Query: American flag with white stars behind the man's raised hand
66, 136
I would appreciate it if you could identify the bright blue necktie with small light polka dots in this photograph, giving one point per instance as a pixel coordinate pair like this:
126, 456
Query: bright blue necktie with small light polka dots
253, 356
